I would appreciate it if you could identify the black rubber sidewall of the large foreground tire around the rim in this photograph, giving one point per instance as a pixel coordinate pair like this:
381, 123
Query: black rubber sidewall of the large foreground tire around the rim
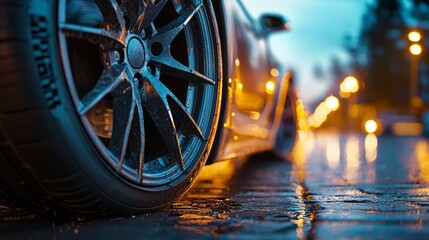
97, 175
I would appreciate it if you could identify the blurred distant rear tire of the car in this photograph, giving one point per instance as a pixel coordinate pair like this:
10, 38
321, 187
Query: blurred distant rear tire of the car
287, 133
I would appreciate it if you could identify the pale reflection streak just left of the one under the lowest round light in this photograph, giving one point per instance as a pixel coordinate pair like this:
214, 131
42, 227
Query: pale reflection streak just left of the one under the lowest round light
352, 159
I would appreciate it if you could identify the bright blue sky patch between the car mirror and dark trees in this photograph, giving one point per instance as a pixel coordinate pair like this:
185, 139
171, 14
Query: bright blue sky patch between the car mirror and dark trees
319, 27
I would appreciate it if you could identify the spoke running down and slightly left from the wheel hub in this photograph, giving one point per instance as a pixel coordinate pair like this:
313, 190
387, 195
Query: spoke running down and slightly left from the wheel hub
123, 109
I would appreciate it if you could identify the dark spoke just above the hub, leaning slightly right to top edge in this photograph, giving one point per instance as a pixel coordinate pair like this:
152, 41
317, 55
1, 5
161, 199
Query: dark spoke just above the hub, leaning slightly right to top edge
150, 12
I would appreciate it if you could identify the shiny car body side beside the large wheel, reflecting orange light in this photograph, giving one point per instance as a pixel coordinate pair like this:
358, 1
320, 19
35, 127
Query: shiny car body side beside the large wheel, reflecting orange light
252, 114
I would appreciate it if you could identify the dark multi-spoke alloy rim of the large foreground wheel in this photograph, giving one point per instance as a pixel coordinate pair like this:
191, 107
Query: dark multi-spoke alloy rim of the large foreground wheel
144, 79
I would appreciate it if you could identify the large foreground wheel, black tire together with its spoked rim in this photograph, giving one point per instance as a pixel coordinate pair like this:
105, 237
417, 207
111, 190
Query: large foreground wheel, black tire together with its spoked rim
105, 110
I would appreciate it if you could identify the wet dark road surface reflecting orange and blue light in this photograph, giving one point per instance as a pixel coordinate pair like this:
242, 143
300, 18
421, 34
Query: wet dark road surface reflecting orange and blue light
337, 185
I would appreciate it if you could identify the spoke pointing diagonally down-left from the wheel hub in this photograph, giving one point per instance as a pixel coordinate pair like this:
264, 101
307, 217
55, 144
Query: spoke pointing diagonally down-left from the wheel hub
109, 80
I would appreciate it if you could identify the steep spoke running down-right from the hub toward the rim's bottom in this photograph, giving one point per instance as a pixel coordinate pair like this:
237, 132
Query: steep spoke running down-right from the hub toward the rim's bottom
163, 119
